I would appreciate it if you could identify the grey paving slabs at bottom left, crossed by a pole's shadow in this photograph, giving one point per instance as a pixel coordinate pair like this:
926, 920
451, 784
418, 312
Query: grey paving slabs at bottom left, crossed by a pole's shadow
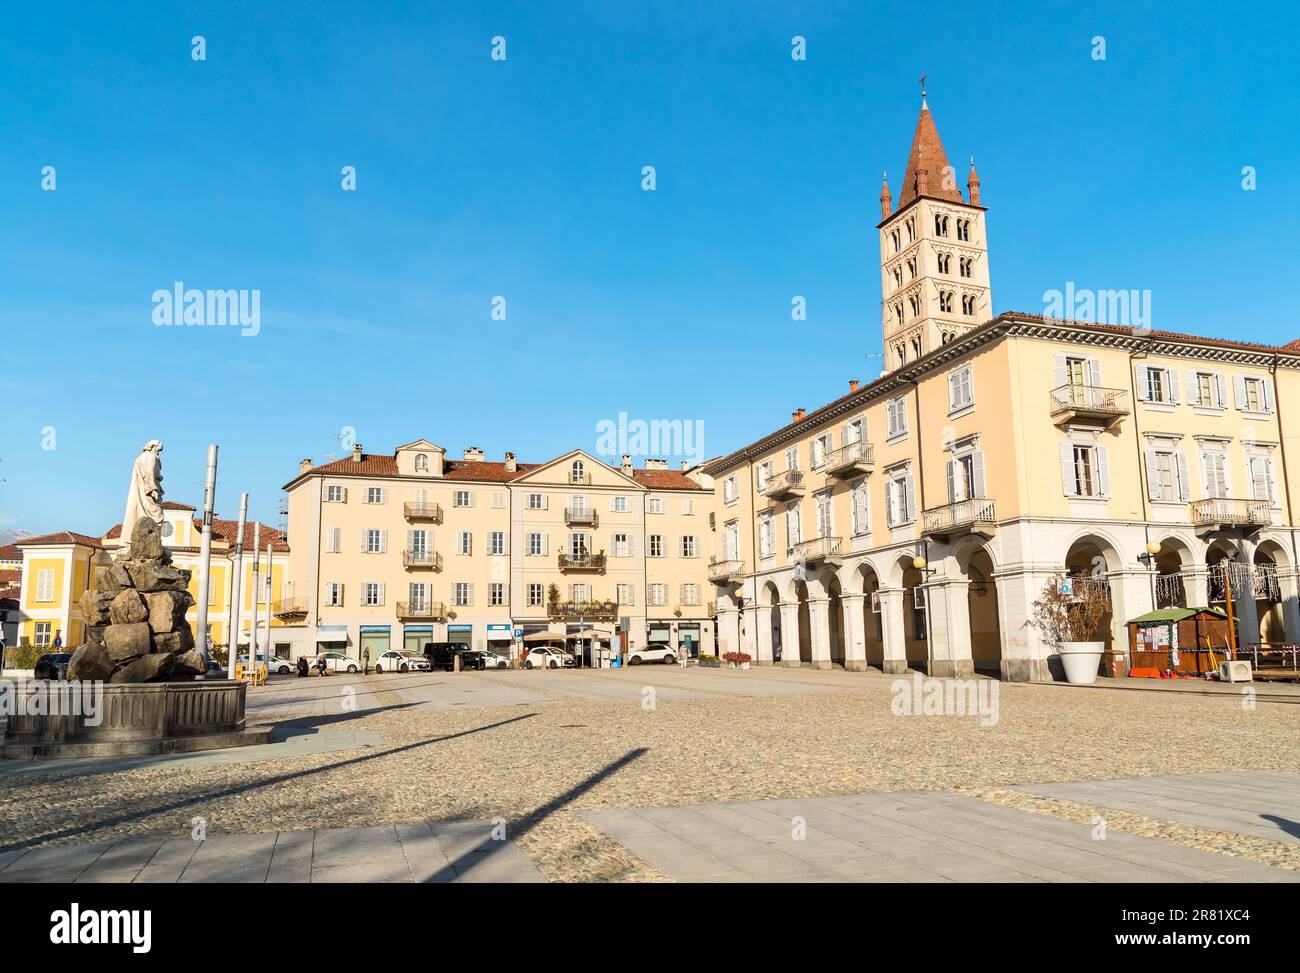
456, 851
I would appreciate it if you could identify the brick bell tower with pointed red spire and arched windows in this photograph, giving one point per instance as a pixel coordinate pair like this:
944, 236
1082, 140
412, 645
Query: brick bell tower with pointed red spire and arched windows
934, 252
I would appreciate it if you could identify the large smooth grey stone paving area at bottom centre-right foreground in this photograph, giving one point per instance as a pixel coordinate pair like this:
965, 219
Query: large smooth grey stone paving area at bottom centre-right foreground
916, 837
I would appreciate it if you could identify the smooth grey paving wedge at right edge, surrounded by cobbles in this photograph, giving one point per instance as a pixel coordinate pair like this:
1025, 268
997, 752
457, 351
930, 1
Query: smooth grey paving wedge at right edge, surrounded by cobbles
1264, 805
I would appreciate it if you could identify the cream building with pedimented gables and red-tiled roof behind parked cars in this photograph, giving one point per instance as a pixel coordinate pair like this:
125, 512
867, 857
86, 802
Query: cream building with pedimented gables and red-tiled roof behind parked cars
395, 551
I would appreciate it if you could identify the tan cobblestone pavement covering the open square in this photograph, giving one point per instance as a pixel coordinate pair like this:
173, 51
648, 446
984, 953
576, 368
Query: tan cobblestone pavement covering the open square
544, 749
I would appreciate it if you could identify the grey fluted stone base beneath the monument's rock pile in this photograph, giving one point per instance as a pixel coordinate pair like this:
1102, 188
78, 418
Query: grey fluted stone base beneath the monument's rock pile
140, 719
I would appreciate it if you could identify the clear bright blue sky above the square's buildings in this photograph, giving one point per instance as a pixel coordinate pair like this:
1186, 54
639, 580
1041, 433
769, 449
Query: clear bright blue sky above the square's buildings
523, 179
